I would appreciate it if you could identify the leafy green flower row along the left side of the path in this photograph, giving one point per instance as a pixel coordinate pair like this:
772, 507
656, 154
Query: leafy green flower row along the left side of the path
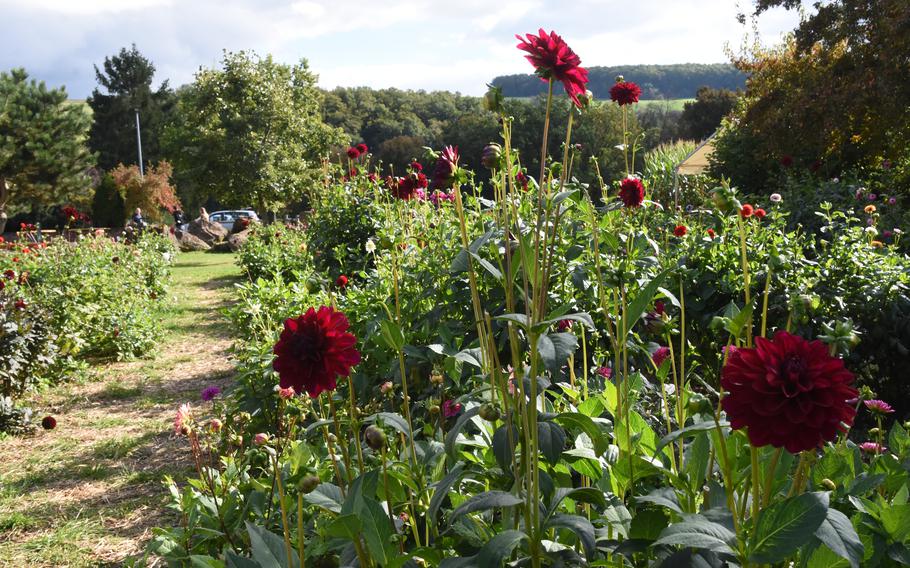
63, 304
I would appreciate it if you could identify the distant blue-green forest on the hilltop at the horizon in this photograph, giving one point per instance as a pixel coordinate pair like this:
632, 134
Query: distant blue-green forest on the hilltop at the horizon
679, 81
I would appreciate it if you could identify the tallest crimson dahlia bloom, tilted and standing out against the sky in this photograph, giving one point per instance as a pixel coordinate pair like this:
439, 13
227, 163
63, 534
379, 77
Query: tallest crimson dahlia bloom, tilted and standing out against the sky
552, 58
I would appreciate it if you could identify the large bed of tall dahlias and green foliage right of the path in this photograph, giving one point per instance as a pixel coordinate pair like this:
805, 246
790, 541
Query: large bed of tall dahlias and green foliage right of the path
534, 377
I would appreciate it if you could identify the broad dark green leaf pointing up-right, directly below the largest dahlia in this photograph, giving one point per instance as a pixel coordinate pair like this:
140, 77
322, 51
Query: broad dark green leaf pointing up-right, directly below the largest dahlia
782, 527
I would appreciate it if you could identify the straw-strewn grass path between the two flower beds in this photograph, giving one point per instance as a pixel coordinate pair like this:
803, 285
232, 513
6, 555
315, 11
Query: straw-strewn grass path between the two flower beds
89, 492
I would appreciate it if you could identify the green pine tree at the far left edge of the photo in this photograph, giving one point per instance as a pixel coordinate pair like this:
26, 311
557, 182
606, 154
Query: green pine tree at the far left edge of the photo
44, 158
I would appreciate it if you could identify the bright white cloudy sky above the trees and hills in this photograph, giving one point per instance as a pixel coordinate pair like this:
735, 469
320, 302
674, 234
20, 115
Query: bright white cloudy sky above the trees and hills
417, 44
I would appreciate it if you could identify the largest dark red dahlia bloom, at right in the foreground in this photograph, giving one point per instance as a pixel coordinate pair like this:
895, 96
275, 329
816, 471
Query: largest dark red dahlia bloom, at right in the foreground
788, 392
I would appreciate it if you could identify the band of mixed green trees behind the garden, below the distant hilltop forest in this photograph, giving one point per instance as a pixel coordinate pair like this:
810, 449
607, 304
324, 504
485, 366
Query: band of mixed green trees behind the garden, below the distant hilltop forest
255, 132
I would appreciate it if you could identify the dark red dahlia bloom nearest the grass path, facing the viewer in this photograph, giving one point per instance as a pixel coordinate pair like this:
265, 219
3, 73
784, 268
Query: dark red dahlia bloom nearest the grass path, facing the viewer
313, 350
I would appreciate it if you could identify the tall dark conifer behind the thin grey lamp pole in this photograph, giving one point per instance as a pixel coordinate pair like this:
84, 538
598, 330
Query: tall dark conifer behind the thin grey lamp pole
126, 80
